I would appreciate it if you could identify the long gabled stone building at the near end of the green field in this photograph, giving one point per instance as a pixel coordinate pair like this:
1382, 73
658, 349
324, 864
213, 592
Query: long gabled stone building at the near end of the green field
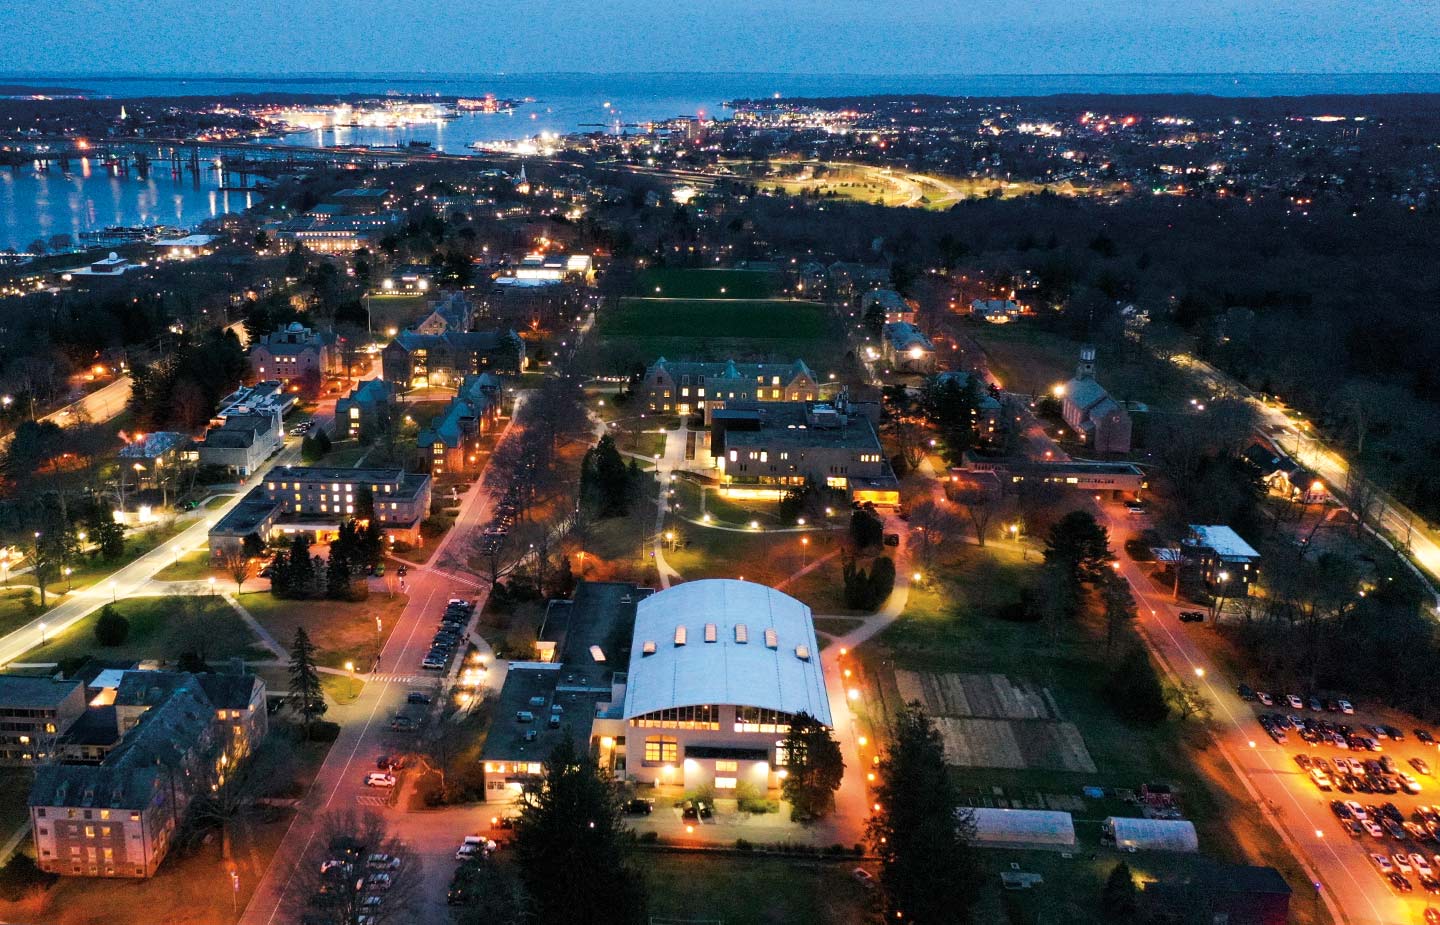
689, 388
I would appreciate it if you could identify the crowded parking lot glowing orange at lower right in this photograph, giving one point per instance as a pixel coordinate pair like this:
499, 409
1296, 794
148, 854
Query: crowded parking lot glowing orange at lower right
1377, 779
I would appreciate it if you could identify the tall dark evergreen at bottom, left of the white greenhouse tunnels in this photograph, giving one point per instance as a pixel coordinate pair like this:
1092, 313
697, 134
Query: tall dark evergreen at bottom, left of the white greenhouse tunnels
919, 832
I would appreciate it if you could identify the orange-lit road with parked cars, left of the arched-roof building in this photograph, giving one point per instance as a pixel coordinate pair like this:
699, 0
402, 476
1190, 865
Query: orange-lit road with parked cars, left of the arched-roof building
365, 736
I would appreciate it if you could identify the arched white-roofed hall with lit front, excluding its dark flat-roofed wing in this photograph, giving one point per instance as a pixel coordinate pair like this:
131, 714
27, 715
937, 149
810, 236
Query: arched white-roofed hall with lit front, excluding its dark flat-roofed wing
718, 671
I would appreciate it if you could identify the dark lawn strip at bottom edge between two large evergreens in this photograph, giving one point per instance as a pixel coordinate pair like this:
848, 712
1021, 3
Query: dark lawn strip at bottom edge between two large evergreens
754, 891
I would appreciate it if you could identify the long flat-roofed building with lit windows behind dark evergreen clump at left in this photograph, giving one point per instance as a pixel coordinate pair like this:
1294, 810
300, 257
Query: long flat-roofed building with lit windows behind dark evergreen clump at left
316, 501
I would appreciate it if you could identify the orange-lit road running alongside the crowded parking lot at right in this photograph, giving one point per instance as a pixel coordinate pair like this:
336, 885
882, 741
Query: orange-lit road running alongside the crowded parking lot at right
1350, 885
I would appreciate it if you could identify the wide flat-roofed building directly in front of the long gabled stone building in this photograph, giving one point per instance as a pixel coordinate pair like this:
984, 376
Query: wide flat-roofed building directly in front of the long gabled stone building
764, 450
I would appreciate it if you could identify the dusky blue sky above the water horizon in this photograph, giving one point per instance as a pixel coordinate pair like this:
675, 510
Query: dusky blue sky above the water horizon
787, 37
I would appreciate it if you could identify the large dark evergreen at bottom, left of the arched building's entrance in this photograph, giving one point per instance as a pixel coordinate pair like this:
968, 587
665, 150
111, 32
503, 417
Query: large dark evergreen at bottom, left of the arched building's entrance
571, 846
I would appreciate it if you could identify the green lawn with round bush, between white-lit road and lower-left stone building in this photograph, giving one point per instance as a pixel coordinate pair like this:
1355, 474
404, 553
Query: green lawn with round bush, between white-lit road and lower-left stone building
161, 629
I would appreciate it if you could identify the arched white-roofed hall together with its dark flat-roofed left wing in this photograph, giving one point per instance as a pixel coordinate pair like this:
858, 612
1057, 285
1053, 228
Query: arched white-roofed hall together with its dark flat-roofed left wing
693, 687
